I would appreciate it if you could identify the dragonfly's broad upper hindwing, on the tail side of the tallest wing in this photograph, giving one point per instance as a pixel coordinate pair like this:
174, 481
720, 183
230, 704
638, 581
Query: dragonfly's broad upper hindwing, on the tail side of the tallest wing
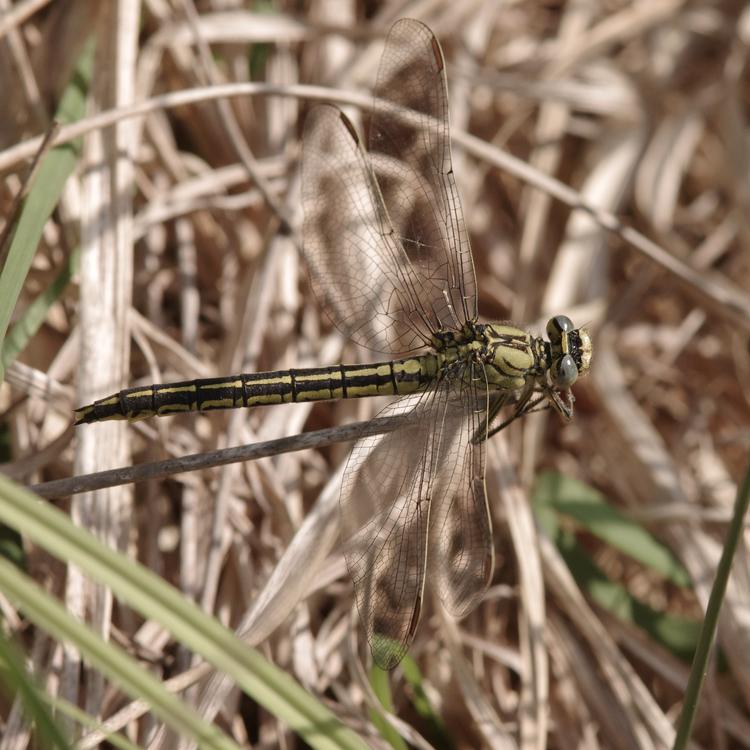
359, 270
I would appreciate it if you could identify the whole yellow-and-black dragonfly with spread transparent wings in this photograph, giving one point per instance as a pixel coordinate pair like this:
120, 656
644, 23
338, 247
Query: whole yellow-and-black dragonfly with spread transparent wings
389, 258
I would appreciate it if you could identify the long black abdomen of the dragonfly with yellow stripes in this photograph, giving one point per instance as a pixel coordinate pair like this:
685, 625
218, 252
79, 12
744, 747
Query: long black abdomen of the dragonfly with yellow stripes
397, 377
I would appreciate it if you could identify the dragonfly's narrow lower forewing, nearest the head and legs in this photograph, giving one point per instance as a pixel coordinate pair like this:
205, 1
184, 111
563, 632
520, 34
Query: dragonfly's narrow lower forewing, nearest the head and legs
461, 551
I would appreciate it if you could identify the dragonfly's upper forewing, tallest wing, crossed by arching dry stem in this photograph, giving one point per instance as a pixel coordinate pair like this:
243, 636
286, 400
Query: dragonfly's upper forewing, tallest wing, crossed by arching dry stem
411, 157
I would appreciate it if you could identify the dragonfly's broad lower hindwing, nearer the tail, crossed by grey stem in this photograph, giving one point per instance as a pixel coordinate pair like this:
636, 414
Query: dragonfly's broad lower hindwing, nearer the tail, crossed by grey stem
387, 491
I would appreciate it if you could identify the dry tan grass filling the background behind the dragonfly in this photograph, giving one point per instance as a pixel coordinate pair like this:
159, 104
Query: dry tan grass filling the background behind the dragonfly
639, 107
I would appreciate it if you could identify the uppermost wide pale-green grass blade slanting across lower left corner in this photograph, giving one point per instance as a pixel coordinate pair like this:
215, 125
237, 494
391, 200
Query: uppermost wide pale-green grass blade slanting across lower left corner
155, 599
